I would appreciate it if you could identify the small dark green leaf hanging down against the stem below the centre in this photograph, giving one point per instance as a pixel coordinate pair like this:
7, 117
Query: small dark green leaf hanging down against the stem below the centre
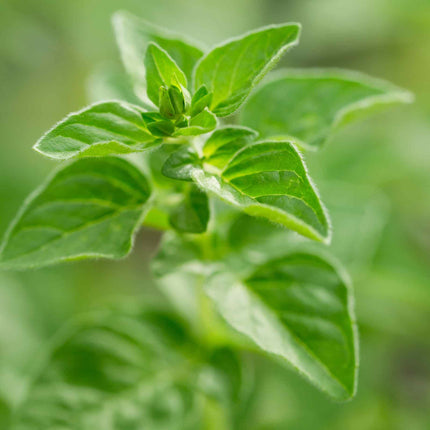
192, 214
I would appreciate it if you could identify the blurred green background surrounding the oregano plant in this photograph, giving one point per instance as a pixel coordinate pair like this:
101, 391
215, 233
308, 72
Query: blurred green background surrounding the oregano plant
374, 177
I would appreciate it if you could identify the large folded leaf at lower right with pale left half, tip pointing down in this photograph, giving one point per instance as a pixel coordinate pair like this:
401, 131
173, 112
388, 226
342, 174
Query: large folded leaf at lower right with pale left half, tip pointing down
300, 308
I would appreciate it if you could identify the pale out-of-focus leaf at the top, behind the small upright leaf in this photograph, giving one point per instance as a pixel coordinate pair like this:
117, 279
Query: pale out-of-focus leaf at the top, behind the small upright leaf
133, 35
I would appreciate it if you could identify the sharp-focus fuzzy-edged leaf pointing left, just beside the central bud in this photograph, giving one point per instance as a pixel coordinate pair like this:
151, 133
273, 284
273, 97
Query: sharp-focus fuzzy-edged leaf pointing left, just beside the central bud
101, 129
